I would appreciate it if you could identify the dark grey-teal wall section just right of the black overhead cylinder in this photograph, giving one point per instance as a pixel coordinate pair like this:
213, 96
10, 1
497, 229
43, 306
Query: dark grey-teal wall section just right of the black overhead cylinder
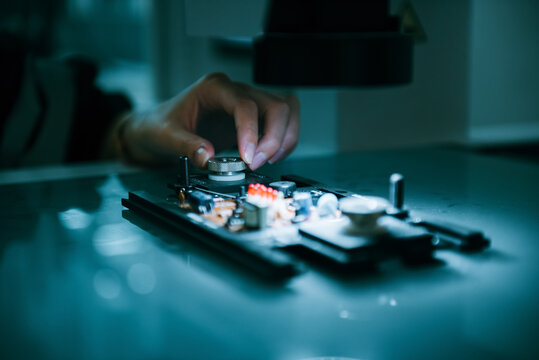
433, 109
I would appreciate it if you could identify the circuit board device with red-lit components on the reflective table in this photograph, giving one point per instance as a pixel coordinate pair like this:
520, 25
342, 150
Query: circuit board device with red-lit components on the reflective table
271, 226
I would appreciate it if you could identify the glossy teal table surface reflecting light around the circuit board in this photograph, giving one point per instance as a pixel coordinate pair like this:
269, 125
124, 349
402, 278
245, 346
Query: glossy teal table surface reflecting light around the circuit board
82, 278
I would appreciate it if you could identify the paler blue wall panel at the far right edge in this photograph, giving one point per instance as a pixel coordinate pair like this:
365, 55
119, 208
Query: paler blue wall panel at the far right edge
504, 71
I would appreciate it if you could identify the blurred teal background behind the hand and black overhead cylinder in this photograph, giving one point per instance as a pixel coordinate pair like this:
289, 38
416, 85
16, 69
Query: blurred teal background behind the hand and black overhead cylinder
475, 78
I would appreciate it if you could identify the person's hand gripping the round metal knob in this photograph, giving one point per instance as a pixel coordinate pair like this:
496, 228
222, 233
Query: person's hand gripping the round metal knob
162, 134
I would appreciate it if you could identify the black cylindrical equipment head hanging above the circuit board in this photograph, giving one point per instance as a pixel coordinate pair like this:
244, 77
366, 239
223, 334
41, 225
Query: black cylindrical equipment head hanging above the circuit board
332, 43
